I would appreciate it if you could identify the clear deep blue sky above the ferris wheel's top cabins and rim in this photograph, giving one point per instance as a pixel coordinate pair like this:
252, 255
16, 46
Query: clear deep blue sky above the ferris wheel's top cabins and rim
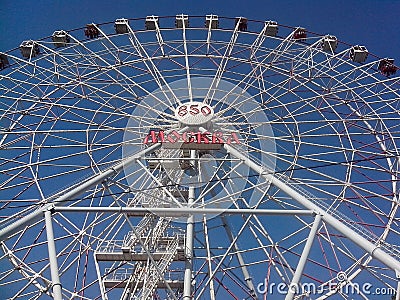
373, 23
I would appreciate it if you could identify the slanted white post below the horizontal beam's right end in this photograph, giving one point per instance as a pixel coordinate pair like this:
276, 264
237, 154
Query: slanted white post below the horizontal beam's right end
294, 285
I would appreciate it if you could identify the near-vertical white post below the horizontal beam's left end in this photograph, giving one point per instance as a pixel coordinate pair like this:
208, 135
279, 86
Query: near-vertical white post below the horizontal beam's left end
55, 278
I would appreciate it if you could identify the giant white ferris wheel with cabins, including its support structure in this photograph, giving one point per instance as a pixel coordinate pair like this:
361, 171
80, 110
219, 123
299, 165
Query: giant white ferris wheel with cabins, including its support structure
198, 158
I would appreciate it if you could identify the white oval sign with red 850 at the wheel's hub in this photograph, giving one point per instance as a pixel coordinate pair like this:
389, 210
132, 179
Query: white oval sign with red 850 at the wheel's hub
194, 113
